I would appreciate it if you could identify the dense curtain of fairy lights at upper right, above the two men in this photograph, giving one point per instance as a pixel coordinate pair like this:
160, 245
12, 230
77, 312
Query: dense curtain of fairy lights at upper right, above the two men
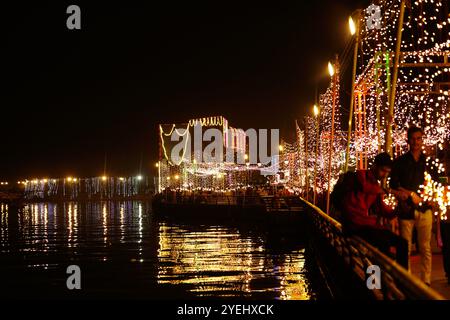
425, 40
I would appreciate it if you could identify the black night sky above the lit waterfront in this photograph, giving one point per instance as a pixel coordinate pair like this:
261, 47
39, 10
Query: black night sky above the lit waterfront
71, 96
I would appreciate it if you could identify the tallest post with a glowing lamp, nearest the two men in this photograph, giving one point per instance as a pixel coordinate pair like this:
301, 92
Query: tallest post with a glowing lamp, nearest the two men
354, 29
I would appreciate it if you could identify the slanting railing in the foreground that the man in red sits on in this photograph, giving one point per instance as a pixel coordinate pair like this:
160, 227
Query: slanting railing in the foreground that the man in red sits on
396, 282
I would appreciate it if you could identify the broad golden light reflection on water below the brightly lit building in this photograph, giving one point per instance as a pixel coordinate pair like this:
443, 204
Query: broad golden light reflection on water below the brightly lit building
222, 262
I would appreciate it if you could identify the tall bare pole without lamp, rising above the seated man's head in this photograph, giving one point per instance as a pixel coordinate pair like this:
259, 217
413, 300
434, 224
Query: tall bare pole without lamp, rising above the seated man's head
390, 120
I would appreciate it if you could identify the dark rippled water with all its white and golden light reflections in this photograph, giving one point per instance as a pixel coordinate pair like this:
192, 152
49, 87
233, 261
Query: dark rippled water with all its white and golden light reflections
122, 238
